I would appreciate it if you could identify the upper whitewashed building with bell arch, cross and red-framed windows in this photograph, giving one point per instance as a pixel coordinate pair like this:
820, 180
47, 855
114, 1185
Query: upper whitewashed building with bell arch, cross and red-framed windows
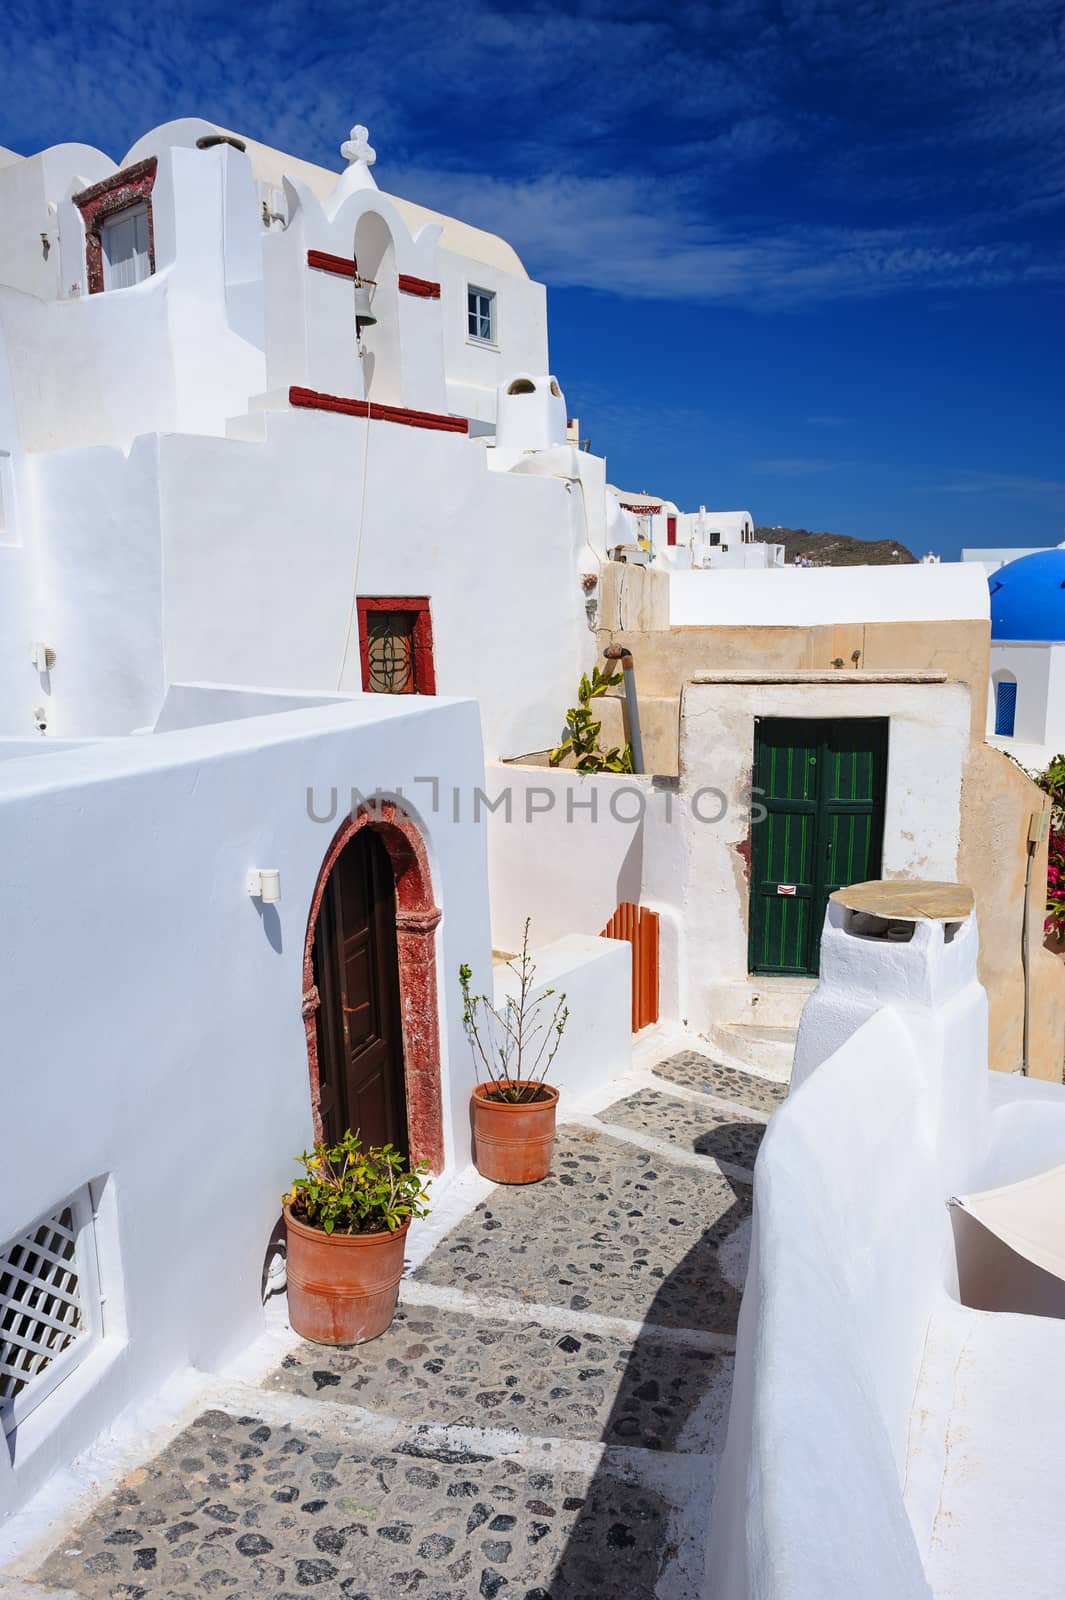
245, 495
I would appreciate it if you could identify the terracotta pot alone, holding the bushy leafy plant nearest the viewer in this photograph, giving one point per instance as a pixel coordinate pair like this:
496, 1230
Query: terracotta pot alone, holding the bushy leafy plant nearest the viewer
343, 1287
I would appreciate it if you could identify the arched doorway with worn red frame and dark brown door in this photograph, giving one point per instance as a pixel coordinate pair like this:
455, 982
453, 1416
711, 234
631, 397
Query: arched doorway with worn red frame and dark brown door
372, 950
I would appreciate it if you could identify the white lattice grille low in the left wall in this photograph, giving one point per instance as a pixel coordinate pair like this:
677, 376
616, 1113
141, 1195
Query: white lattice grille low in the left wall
44, 1310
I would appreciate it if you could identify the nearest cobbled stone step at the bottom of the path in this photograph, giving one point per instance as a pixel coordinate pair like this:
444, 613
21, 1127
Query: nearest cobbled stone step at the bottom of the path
236, 1505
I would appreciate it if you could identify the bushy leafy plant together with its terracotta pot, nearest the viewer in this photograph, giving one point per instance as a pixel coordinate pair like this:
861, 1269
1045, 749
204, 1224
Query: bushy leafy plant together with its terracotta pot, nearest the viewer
346, 1223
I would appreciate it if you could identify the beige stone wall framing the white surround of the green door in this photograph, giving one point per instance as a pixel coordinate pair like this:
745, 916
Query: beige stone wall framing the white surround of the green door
997, 796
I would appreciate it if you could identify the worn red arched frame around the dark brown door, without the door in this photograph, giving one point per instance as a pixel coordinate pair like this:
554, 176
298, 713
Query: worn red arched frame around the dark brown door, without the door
417, 922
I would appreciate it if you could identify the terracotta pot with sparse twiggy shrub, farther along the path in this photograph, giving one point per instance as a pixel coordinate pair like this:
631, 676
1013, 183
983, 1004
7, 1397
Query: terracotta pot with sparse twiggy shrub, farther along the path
514, 1110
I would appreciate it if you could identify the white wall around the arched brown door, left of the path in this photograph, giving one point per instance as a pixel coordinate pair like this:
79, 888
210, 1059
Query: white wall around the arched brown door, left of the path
162, 1010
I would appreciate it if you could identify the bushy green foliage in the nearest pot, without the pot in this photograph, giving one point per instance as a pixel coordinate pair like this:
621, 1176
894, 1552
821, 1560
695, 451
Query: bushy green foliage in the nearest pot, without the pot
348, 1190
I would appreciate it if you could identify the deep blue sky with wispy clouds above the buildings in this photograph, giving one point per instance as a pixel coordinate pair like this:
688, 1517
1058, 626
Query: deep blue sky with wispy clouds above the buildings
804, 258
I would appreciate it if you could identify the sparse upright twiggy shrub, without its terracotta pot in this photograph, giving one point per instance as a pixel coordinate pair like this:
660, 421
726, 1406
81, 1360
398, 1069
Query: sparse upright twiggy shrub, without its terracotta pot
519, 1041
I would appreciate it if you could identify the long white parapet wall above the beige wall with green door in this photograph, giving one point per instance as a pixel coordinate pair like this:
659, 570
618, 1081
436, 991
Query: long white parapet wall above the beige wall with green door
808, 598
